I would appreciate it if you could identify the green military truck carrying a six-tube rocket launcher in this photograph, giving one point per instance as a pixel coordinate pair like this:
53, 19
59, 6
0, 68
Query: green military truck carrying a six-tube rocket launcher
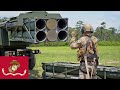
34, 27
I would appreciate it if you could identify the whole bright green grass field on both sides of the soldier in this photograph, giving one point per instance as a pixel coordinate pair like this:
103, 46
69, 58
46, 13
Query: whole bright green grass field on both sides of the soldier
109, 55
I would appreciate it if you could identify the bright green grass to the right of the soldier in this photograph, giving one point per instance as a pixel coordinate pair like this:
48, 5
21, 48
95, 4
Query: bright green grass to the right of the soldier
109, 55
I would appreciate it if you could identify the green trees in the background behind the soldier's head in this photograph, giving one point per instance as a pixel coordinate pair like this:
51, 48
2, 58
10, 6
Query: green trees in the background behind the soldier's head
101, 32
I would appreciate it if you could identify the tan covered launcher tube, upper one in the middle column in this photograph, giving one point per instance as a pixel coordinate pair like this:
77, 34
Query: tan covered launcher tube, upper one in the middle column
51, 24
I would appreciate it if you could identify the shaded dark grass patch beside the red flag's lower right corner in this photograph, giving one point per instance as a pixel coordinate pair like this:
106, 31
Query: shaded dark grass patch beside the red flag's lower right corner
34, 74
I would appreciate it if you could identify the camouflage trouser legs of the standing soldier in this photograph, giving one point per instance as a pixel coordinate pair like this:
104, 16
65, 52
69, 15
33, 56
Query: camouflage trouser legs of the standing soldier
82, 70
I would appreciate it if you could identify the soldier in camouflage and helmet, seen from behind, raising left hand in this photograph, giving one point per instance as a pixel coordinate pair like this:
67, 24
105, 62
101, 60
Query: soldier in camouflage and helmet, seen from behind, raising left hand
87, 52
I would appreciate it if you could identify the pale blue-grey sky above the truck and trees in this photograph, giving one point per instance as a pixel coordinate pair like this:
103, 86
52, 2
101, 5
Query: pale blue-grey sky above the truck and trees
112, 18
